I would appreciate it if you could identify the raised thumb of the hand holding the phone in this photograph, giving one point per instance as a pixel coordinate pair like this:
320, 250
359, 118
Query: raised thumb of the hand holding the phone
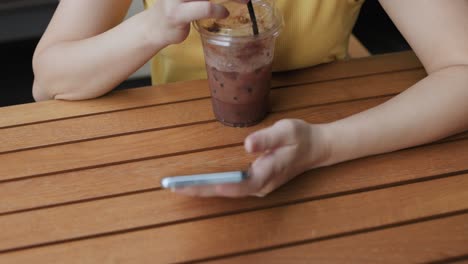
280, 134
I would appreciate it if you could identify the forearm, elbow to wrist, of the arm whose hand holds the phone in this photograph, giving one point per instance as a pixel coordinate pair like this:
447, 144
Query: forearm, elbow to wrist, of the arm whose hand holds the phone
434, 108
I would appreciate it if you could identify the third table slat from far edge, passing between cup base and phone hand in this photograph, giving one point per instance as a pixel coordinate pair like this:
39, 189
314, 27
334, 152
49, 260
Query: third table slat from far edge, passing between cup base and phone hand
151, 144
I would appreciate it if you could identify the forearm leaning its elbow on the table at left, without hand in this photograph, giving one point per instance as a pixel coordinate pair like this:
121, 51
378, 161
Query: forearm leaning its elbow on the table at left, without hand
88, 68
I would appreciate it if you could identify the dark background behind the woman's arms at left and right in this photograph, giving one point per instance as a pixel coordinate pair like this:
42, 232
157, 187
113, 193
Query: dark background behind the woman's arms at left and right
373, 28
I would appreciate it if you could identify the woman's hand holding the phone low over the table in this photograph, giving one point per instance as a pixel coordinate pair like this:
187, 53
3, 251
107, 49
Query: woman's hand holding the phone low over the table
288, 148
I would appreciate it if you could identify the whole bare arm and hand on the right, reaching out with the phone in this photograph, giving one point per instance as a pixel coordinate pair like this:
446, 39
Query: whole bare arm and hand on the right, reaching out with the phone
434, 108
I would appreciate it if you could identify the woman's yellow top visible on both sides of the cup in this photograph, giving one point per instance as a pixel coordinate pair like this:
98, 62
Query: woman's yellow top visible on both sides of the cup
315, 32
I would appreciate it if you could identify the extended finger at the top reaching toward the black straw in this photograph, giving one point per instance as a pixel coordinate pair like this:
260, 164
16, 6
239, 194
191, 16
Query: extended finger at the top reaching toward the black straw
190, 11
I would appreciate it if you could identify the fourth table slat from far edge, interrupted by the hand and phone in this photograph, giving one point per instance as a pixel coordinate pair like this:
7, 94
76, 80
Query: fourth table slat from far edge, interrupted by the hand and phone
61, 188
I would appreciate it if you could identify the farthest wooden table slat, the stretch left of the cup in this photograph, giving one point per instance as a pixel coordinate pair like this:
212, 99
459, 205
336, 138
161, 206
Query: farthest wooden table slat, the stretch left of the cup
114, 101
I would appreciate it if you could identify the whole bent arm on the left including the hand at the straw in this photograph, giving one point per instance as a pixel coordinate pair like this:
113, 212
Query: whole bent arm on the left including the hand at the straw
87, 51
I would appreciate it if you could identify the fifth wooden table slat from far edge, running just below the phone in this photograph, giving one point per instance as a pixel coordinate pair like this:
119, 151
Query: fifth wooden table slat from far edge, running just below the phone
114, 214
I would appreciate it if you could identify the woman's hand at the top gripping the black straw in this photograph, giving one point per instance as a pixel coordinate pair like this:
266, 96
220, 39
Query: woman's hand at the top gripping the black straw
172, 18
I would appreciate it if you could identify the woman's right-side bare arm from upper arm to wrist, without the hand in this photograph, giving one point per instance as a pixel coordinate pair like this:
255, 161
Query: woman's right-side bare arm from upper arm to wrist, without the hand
435, 107
